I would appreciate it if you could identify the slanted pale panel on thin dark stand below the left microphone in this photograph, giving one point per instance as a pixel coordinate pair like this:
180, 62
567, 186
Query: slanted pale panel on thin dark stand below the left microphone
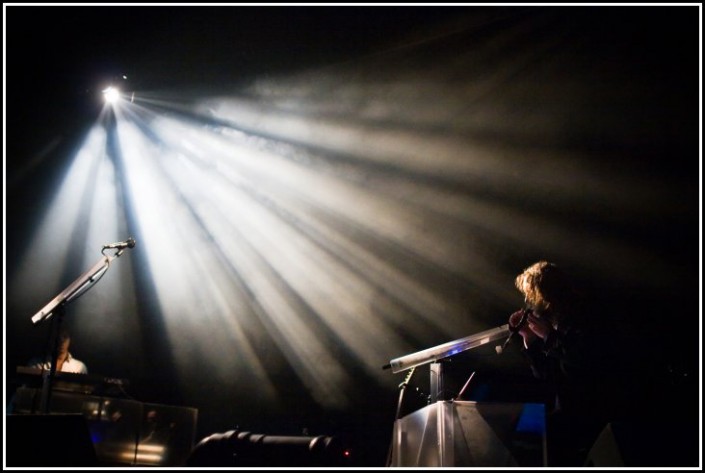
57, 307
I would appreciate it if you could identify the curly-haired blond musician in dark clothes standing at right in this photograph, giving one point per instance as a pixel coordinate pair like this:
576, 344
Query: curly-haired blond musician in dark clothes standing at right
563, 352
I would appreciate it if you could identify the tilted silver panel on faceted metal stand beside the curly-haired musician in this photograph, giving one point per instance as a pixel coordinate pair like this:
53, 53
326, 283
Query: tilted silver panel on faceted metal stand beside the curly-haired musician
449, 433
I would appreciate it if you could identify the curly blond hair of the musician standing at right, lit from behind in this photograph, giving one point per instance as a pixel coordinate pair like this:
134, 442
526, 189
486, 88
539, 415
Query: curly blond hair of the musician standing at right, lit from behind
545, 286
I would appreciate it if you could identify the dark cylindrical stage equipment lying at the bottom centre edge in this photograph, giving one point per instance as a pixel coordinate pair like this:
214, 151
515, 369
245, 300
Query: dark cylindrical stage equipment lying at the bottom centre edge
245, 449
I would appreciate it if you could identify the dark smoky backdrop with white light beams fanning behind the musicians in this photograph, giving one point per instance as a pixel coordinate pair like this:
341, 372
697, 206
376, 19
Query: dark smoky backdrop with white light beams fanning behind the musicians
407, 163
